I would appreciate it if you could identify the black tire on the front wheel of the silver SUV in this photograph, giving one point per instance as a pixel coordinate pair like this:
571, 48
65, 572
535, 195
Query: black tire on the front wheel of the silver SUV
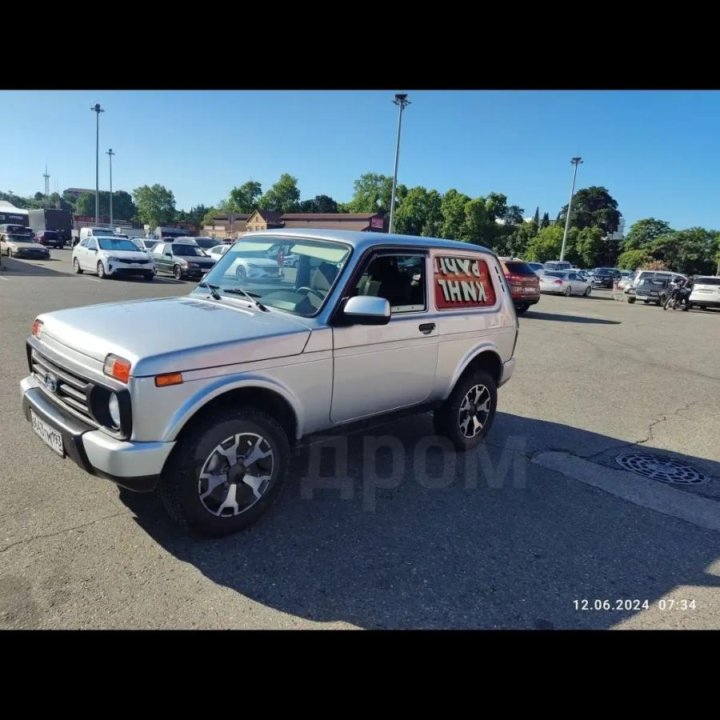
181, 485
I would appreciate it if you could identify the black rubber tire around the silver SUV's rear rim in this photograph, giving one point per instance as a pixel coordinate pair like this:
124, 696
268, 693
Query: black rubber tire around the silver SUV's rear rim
448, 418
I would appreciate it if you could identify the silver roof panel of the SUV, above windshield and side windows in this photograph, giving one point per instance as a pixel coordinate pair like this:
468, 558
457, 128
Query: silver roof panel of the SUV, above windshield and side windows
363, 240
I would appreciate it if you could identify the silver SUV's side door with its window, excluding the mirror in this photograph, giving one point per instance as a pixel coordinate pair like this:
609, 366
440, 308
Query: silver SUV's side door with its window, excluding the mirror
400, 357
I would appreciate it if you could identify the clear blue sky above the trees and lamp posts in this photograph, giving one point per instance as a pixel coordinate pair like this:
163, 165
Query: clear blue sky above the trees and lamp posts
656, 151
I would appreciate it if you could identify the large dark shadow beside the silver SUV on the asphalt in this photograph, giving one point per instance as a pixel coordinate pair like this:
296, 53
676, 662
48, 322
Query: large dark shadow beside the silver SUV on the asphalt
386, 529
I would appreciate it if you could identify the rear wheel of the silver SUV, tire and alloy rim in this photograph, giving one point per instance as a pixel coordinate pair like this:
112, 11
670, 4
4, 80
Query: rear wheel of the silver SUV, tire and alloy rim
467, 415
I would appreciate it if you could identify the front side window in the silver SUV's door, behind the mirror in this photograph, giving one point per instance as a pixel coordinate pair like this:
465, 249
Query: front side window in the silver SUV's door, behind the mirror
400, 279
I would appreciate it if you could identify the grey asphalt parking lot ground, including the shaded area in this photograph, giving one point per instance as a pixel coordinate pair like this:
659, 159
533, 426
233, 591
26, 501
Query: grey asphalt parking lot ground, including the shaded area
548, 526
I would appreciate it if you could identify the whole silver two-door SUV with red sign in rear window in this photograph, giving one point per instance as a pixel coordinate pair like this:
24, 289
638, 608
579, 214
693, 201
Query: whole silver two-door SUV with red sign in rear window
203, 396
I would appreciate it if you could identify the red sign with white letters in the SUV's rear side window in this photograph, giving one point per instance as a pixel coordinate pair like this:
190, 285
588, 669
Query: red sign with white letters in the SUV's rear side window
462, 282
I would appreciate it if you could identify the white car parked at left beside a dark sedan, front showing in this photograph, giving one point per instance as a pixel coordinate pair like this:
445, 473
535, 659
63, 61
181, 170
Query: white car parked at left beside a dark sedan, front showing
111, 257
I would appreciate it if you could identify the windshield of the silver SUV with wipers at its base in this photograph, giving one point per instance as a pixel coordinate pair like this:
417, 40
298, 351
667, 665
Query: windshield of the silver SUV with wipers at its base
291, 275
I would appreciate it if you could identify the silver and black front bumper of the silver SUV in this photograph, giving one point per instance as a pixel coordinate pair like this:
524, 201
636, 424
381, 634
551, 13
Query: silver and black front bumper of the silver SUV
133, 465
